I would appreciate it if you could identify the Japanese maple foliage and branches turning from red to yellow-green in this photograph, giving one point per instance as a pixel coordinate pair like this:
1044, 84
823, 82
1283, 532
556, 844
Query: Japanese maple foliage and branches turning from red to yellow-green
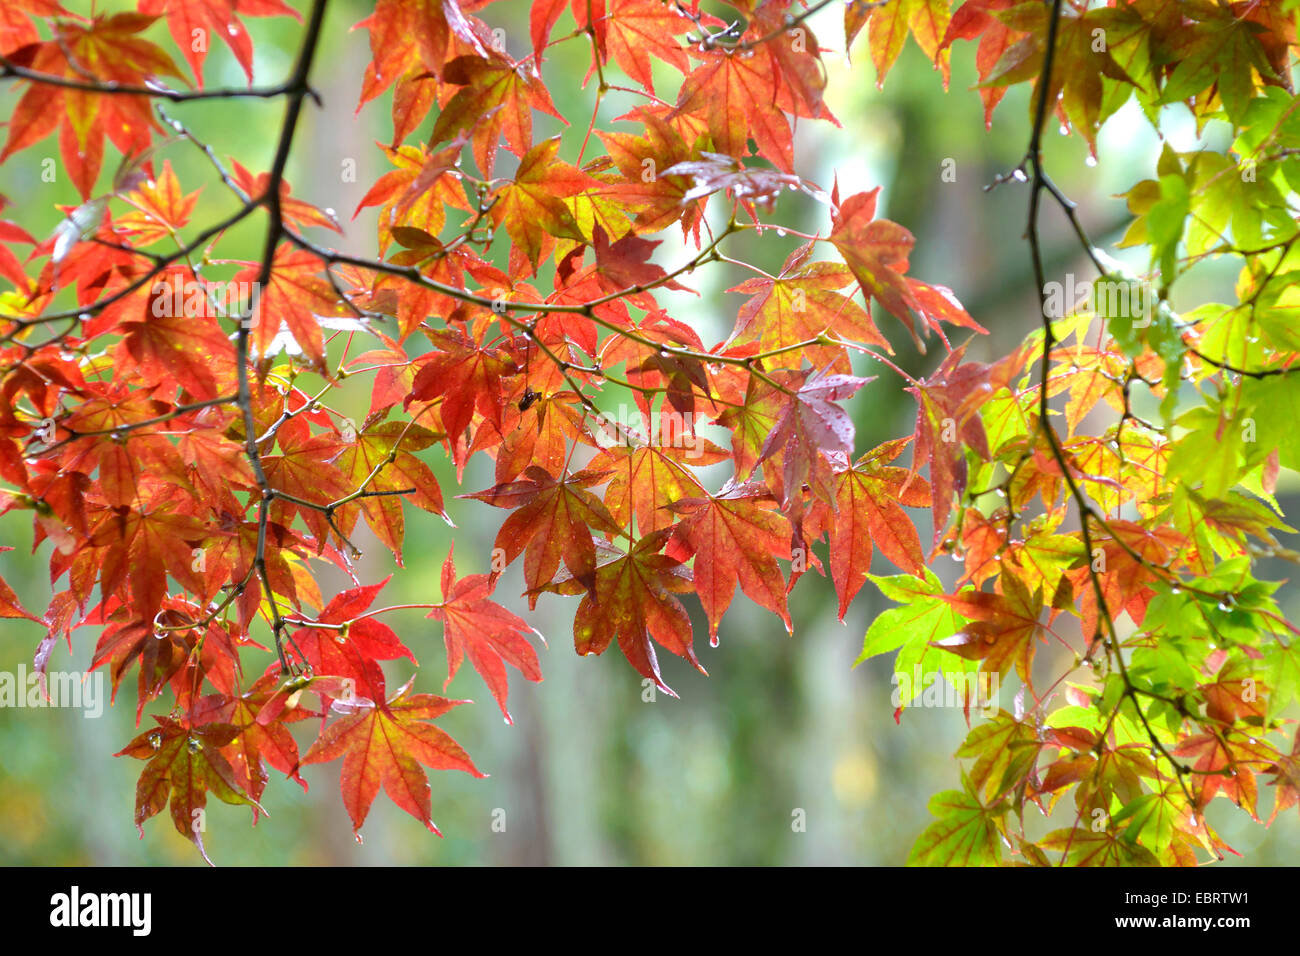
1110, 486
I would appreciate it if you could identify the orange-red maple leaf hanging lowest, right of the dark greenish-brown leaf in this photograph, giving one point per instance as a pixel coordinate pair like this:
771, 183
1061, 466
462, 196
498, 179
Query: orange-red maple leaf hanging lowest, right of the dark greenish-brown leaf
384, 746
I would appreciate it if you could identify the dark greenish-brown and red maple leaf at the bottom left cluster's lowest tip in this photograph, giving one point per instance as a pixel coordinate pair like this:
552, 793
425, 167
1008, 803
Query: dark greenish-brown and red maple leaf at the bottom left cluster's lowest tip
185, 764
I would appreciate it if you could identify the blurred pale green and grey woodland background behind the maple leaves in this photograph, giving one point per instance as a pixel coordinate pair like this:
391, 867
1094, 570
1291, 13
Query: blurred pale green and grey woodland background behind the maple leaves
592, 772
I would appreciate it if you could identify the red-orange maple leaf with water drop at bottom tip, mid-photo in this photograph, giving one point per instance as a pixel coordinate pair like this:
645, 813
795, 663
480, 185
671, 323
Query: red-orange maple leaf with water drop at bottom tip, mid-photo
735, 540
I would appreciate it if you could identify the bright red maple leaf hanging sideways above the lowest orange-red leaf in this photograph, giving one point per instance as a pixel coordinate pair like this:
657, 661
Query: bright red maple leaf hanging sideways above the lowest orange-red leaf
489, 634
